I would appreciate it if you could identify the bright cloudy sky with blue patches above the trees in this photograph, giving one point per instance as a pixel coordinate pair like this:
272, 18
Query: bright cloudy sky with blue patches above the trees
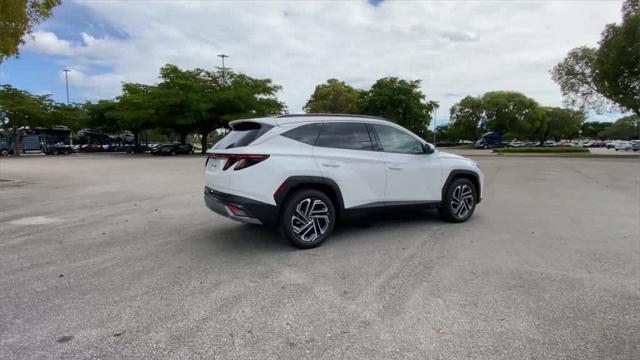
456, 48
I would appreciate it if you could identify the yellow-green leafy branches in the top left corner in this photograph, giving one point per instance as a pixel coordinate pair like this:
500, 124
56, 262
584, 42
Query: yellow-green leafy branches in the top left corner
17, 19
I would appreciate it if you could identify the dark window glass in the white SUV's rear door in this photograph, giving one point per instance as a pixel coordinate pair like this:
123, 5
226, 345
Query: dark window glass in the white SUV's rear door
353, 136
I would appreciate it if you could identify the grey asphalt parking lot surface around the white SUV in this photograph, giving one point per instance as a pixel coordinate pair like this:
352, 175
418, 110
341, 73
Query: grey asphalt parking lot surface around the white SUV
115, 256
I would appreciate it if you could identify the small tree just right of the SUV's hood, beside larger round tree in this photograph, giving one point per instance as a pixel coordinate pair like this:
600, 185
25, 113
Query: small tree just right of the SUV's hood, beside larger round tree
467, 119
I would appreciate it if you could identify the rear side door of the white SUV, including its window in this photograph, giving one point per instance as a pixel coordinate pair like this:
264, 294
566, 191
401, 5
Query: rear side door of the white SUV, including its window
344, 153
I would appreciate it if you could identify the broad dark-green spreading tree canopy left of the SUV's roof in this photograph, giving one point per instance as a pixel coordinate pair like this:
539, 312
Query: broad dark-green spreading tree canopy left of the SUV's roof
187, 101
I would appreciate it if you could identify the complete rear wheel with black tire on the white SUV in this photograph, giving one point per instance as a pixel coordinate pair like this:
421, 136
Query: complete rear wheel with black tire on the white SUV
308, 218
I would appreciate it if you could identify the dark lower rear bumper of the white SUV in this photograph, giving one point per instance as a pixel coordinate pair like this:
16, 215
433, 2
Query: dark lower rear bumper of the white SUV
256, 212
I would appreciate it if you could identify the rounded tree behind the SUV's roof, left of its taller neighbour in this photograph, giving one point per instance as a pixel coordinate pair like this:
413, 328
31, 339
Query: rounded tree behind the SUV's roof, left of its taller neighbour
334, 97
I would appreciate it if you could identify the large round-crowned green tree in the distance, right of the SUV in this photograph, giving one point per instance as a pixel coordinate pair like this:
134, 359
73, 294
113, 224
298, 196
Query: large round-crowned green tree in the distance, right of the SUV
512, 114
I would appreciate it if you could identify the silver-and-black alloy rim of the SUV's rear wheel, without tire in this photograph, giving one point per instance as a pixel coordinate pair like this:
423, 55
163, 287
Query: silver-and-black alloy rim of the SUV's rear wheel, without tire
310, 219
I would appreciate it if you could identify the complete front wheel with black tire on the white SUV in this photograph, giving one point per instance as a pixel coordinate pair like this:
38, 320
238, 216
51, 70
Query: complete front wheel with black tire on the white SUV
459, 188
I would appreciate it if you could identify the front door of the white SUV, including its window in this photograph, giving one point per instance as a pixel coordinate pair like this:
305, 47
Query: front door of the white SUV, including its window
412, 175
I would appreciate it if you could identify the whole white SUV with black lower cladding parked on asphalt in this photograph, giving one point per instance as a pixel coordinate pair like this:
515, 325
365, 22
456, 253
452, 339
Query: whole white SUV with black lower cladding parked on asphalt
303, 172
